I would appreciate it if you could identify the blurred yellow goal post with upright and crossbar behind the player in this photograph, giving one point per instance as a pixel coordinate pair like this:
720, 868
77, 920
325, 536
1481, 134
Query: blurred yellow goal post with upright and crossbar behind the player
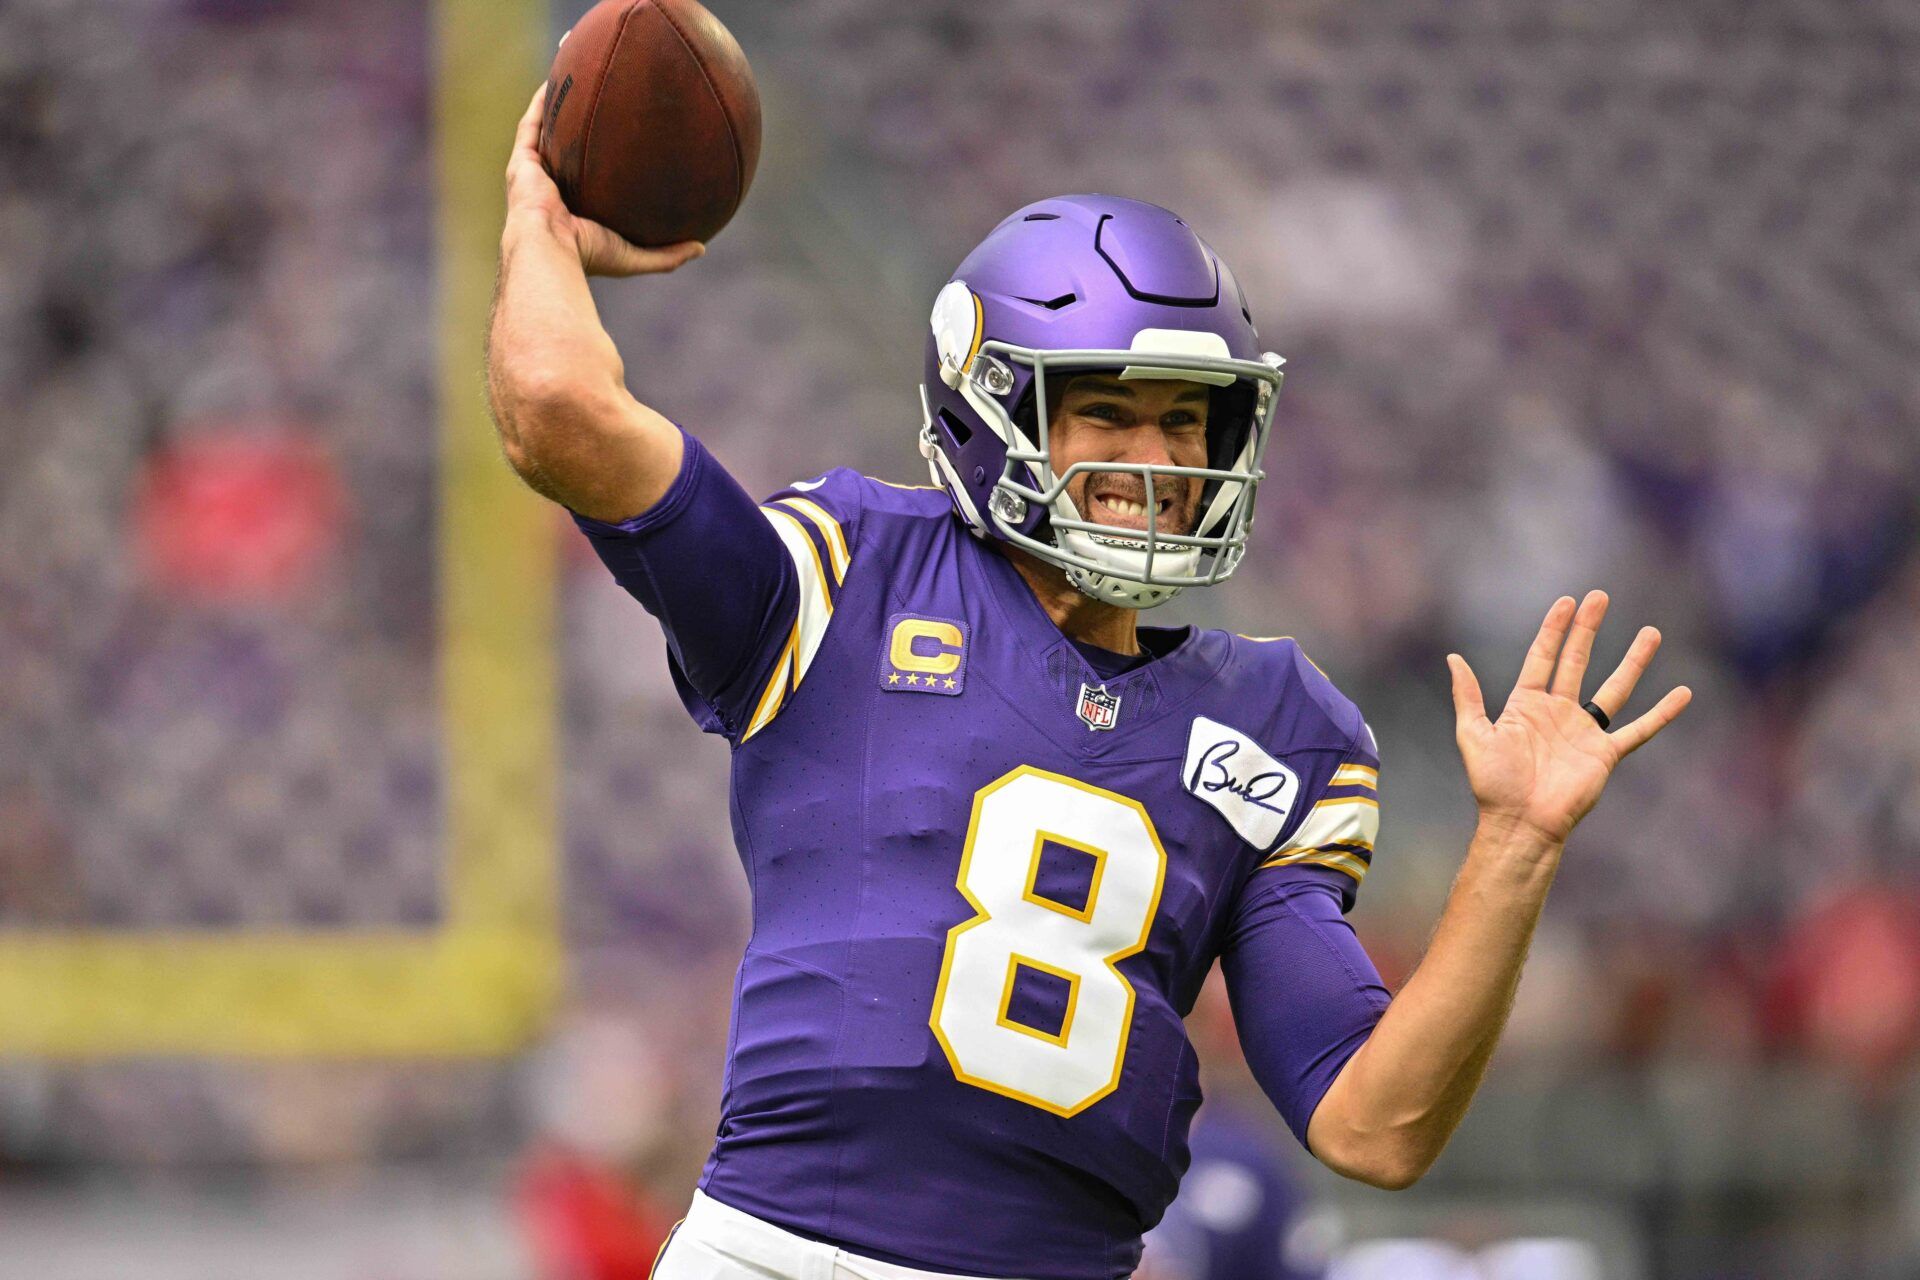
485, 978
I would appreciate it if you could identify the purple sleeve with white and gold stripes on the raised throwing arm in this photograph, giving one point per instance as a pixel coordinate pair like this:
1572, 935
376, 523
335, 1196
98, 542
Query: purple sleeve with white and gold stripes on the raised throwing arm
742, 590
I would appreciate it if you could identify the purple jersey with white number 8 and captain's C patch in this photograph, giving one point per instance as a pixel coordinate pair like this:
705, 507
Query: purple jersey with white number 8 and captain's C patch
988, 880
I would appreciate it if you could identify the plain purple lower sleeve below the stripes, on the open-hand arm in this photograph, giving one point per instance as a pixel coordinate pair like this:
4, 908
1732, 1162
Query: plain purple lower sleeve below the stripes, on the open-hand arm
1305, 991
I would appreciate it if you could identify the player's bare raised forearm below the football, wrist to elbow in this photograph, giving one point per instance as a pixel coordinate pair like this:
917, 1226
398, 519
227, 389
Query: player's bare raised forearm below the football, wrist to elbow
558, 385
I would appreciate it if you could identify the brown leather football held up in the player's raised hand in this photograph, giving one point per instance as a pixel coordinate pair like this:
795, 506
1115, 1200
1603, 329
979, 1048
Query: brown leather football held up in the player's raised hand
654, 120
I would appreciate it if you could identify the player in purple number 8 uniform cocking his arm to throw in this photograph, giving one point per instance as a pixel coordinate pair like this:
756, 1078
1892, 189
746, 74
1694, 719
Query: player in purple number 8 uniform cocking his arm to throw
997, 832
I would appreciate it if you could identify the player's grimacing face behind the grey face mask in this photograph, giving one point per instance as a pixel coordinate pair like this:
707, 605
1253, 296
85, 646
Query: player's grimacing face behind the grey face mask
1101, 419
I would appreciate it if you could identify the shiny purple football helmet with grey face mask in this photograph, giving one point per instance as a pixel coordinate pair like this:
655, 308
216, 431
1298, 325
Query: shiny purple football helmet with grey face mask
1093, 283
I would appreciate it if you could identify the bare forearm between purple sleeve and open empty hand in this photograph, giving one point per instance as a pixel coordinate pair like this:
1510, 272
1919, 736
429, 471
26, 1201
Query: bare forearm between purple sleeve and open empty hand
1397, 1102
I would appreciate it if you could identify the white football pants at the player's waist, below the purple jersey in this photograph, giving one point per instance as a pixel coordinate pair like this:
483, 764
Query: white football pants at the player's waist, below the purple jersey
719, 1243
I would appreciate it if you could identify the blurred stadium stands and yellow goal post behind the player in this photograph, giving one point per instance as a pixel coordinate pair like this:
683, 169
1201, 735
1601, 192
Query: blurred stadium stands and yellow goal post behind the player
356, 861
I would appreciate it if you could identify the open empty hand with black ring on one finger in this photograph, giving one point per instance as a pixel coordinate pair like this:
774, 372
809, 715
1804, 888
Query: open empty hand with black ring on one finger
1547, 761
